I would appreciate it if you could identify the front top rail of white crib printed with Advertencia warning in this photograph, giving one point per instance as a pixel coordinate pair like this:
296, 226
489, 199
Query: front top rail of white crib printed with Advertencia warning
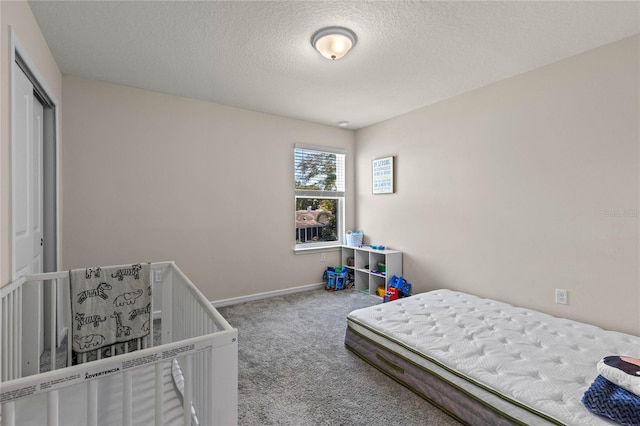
45, 382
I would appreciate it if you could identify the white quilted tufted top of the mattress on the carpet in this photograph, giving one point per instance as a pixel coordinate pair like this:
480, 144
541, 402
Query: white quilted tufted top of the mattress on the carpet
534, 359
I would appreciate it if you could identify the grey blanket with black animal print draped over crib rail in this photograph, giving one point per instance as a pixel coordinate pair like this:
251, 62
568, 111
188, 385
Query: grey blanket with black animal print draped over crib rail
109, 305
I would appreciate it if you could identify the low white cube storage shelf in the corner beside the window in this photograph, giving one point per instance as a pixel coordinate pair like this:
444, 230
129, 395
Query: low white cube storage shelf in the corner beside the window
366, 260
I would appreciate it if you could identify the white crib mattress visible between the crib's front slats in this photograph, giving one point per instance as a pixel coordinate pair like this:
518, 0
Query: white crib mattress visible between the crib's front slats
73, 399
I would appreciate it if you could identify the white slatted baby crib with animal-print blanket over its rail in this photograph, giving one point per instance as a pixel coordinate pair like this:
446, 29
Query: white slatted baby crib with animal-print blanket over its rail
189, 378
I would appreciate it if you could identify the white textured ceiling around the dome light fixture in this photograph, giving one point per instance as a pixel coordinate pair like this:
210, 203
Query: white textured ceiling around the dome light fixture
257, 55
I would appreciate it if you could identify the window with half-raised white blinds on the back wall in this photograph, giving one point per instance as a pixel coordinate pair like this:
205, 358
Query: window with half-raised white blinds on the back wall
319, 196
